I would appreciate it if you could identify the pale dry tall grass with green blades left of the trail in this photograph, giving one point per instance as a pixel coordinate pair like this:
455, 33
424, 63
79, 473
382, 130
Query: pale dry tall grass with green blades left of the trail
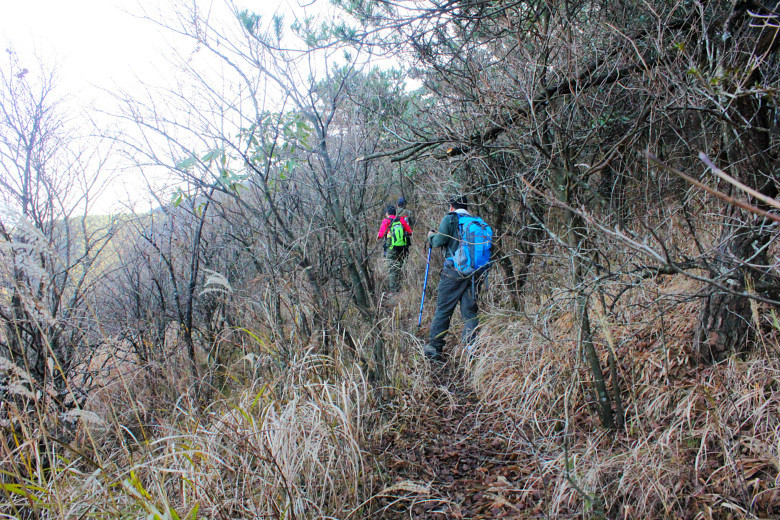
289, 446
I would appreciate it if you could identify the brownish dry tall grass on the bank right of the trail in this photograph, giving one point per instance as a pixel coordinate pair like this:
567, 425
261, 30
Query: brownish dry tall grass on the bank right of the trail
699, 441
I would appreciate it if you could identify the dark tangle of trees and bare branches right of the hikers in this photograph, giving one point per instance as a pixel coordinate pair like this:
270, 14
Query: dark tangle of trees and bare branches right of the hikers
573, 122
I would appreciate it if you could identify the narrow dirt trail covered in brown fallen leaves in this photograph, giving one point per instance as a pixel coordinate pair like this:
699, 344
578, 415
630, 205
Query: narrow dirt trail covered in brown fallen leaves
449, 463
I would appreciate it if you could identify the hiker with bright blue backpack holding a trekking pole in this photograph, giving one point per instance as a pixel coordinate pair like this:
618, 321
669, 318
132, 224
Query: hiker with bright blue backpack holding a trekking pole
466, 241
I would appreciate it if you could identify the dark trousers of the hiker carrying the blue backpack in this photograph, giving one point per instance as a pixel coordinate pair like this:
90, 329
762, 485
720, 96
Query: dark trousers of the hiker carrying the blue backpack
453, 289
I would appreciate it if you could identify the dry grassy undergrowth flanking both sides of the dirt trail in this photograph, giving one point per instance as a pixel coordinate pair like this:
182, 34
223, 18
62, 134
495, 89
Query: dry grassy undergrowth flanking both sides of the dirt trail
296, 440
